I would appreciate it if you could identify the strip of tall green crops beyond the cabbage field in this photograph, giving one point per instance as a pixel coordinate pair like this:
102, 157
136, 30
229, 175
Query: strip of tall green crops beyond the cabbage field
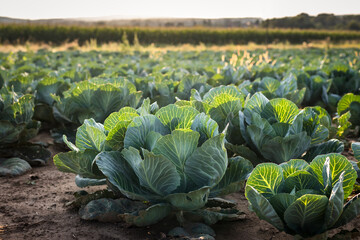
59, 34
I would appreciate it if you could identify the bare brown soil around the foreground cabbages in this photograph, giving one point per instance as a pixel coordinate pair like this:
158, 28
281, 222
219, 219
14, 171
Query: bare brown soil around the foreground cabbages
32, 206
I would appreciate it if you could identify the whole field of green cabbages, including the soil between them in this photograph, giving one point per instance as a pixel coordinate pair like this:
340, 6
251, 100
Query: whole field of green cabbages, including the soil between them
256, 144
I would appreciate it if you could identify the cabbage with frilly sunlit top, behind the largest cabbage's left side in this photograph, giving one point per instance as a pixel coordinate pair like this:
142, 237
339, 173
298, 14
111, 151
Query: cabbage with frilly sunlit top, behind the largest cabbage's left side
94, 98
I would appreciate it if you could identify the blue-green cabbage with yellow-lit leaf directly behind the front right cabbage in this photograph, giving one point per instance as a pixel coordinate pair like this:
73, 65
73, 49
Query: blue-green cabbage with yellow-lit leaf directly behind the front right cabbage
277, 130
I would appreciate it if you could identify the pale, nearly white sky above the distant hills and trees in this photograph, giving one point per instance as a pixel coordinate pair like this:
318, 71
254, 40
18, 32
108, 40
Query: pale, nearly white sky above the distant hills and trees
40, 9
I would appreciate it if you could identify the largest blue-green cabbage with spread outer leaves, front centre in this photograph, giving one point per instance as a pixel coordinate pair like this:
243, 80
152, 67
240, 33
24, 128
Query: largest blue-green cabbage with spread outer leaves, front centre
175, 157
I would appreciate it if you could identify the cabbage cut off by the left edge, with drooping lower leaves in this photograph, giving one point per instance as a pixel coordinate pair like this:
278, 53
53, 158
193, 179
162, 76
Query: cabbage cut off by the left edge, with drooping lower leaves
16, 128
